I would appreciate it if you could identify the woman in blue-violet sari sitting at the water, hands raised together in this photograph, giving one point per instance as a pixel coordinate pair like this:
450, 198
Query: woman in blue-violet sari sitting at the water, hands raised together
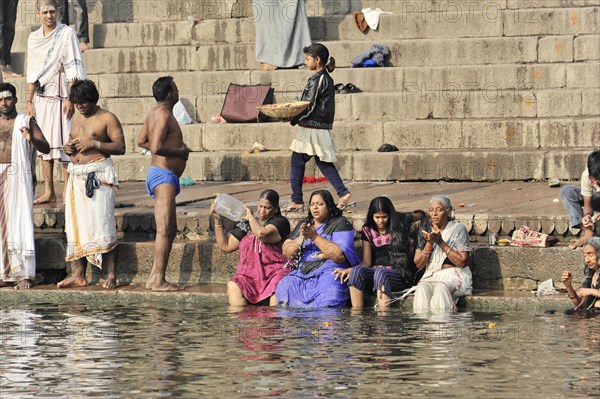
321, 242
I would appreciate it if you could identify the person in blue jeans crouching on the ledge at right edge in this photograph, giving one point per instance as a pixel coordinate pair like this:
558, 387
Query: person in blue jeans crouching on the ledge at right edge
581, 202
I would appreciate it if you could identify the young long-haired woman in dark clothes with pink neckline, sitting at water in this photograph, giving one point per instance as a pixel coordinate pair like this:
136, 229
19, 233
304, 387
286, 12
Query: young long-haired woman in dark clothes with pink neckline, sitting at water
388, 252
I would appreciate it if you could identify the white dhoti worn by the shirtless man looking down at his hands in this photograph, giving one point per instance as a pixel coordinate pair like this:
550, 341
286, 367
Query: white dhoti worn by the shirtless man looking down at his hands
90, 222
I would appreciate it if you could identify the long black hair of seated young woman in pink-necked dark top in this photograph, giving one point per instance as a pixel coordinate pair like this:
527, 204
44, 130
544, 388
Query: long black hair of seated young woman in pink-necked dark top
398, 227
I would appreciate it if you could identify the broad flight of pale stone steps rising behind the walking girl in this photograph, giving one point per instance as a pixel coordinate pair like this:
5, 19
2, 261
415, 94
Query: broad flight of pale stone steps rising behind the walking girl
474, 91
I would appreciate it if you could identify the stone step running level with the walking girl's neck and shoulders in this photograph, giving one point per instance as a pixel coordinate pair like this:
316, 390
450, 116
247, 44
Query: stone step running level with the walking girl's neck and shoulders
451, 81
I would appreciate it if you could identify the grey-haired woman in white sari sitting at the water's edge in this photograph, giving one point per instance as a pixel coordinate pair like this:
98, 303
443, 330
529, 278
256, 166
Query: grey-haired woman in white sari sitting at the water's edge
443, 250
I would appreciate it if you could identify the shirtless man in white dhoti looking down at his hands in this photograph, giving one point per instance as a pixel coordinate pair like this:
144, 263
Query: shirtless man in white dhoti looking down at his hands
96, 134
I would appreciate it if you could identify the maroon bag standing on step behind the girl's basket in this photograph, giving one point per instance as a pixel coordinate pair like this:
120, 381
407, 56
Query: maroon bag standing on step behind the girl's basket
241, 102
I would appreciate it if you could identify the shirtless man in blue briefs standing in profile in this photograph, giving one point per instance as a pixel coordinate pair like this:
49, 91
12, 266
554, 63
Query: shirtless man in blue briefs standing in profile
162, 136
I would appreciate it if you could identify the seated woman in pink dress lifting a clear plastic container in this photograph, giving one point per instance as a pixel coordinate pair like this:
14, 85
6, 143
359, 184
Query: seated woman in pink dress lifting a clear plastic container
261, 264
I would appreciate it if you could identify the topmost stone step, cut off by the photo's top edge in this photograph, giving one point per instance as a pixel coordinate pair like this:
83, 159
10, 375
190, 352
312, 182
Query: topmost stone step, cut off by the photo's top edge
108, 11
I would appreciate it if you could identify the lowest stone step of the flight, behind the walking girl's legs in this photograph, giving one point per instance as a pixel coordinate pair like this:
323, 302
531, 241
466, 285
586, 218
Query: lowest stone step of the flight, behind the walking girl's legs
405, 165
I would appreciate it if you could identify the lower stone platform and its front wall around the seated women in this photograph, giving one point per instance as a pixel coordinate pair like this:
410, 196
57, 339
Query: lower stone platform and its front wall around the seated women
482, 207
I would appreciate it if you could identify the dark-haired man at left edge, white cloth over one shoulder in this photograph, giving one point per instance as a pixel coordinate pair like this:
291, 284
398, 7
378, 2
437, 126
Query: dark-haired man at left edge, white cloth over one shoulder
20, 136
